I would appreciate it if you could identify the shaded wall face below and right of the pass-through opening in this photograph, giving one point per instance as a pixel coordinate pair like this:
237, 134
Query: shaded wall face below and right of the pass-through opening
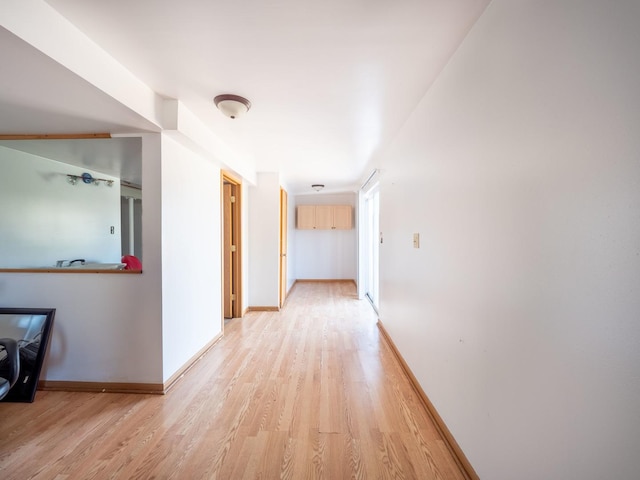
107, 326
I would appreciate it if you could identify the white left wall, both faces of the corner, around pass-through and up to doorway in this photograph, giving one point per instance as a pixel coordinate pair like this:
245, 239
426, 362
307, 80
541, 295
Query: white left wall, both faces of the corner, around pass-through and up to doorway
141, 328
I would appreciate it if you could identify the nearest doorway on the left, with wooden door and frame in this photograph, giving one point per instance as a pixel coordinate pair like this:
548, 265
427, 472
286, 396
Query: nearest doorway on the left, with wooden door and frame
231, 247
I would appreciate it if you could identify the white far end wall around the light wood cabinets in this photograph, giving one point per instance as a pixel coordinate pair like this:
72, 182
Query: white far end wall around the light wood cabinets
326, 254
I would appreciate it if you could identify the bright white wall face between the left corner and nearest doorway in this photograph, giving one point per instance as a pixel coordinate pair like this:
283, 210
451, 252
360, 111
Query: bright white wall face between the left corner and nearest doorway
191, 254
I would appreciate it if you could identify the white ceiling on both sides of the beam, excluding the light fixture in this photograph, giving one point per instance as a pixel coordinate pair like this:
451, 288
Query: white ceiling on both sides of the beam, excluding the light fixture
330, 82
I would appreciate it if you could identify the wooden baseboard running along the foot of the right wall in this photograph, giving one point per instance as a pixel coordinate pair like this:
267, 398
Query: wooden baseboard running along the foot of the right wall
450, 442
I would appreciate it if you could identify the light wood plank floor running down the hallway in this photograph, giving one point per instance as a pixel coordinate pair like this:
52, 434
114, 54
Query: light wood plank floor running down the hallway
308, 392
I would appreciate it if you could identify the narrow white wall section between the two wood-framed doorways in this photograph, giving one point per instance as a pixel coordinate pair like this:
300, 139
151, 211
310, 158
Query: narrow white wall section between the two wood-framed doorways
264, 244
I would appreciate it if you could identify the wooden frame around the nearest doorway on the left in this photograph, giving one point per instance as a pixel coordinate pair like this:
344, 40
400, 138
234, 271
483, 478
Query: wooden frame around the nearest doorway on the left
236, 262
